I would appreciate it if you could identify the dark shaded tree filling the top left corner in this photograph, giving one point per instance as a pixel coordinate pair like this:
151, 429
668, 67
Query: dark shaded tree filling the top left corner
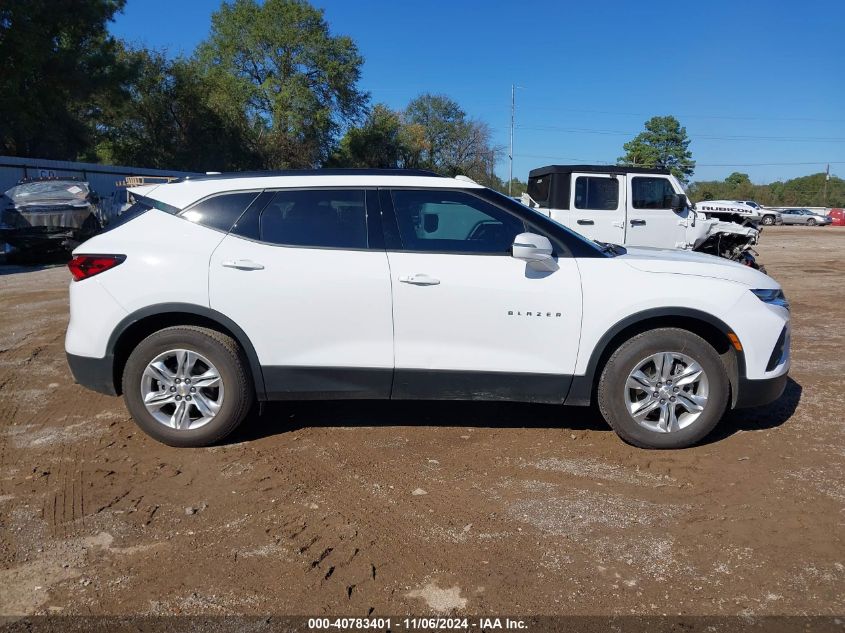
59, 69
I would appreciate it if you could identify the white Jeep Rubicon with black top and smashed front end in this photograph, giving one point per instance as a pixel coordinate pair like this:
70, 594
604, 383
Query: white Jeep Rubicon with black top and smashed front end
634, 206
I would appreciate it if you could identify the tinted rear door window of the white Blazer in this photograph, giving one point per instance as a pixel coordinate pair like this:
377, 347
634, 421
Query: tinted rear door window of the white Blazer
329, 218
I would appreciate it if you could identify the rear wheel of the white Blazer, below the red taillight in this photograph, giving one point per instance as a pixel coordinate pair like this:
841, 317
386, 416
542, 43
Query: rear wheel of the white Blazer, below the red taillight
187, 386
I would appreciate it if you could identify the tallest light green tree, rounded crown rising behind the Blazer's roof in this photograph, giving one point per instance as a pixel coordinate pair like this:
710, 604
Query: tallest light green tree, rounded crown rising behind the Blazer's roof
277, 65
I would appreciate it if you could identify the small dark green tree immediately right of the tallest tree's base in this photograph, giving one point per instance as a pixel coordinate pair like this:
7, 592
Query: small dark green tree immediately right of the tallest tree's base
377, 143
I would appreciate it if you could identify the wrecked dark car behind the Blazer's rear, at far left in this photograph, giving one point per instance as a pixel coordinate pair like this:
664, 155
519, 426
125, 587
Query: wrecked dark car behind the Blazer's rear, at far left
48, 216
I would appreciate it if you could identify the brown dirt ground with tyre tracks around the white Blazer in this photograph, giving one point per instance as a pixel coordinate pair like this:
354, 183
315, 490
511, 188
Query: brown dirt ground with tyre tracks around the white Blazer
424, 508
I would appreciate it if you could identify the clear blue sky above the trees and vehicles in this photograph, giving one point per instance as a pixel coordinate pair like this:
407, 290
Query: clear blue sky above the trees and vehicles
759, 85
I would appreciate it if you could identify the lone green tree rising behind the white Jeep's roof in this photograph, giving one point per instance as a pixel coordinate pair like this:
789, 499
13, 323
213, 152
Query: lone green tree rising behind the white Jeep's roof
664, 143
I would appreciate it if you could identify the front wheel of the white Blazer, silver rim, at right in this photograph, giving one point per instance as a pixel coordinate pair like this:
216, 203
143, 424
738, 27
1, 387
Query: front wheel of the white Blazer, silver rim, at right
664, 388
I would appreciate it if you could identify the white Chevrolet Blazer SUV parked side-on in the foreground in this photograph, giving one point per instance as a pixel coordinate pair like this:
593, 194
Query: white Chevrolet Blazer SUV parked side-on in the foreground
213, 292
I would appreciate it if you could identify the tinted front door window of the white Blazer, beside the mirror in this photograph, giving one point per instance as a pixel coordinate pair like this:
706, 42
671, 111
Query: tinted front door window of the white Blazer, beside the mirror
454, 222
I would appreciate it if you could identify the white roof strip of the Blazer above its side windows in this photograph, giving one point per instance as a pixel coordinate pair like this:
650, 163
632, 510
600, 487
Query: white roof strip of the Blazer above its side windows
186, 191
